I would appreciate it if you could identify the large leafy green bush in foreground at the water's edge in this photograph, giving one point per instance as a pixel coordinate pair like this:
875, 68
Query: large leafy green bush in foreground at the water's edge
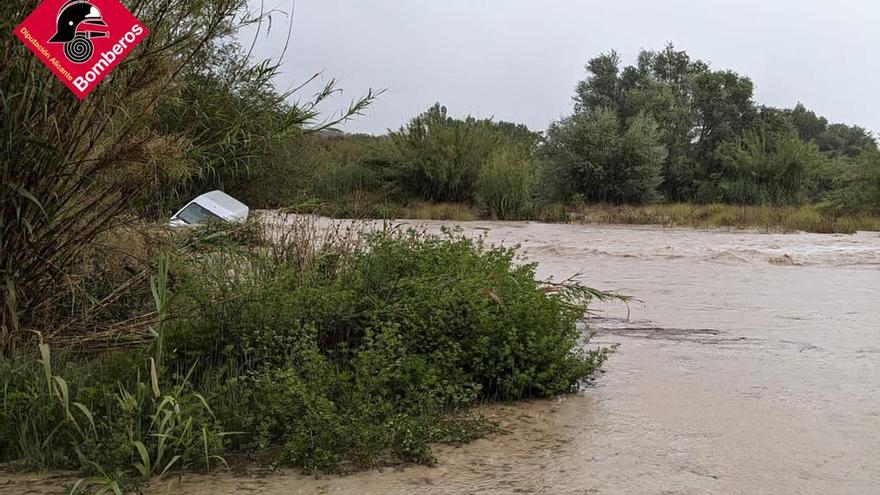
357, 358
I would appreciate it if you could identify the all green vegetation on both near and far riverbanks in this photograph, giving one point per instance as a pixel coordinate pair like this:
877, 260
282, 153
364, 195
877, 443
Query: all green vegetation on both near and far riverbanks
128, 351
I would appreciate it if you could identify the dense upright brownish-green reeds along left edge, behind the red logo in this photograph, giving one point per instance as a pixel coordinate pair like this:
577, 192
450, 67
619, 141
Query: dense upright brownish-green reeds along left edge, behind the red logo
68, 168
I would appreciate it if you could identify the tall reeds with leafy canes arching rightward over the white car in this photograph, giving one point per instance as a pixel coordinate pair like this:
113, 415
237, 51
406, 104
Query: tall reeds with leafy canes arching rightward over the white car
185, 111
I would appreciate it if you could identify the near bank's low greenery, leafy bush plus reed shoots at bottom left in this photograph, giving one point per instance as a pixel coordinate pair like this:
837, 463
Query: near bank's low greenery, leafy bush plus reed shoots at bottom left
328, 350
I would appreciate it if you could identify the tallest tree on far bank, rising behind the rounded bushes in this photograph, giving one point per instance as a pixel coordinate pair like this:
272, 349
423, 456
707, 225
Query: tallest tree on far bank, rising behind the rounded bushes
695, 108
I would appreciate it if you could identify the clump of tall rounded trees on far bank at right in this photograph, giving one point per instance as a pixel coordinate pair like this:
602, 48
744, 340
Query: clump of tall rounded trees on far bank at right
671, 128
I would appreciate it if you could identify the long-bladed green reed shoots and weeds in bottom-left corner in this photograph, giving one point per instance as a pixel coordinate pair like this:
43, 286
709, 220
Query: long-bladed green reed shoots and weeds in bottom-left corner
100, 421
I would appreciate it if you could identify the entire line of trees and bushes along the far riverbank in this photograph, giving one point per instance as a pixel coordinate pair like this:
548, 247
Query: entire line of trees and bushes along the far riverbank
668, 129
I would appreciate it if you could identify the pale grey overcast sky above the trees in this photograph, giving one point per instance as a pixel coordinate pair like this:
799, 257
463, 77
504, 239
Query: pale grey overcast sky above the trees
519, 60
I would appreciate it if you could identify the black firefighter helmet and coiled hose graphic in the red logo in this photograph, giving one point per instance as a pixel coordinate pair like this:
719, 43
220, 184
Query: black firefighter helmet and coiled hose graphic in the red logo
76, 22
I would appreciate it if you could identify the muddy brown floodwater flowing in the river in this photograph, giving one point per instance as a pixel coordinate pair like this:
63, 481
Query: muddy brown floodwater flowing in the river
752, 365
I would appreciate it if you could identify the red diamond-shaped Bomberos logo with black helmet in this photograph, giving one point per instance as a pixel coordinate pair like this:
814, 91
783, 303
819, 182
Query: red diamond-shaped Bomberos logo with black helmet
81, 41
